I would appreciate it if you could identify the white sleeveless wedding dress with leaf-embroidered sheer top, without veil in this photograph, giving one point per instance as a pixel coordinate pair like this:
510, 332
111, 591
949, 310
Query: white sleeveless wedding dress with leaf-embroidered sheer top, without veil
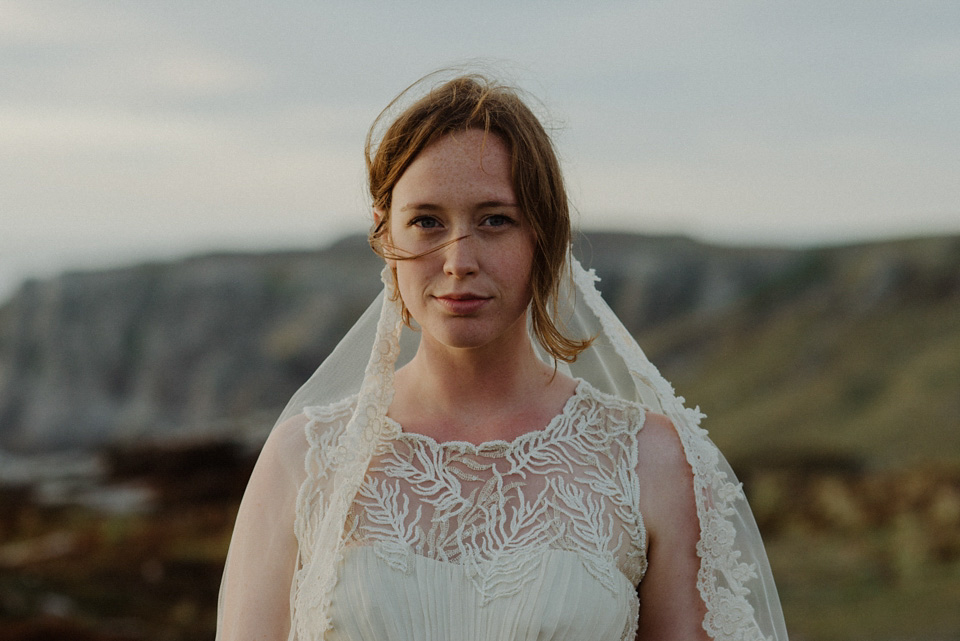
540, 538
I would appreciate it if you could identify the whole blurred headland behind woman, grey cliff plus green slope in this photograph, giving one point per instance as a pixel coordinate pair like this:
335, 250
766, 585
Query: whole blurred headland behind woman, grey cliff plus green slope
216, 344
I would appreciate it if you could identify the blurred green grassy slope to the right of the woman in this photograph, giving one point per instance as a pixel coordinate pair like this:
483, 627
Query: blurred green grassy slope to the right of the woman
827, 368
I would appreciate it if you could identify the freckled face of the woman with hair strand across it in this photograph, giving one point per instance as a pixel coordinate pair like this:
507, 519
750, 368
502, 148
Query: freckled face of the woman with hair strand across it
473, 292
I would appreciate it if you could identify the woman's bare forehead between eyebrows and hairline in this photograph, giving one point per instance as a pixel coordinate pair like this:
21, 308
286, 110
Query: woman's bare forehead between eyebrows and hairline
462, 165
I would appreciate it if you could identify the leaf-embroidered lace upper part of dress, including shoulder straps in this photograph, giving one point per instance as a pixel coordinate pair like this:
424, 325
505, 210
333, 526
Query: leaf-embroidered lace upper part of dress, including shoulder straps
505, 514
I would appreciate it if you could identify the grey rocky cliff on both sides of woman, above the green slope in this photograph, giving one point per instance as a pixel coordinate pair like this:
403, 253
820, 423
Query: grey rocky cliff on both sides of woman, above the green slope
218, 343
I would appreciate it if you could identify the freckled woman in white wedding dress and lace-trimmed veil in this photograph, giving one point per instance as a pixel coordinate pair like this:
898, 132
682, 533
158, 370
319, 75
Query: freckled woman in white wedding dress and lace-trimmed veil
526, 473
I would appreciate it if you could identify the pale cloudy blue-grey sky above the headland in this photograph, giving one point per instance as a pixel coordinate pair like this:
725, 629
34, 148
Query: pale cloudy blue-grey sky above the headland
151, 130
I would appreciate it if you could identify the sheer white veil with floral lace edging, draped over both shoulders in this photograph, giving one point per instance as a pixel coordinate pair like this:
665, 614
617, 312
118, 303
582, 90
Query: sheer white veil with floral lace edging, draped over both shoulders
734, 579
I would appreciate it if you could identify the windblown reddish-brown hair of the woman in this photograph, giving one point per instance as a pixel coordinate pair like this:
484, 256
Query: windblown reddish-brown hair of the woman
476, 102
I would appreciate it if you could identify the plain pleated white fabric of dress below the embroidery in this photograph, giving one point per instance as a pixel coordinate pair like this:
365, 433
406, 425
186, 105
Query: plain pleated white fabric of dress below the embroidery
437, 601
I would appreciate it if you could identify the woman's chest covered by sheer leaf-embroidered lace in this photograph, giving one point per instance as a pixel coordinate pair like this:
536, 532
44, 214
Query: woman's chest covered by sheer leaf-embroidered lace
483, 506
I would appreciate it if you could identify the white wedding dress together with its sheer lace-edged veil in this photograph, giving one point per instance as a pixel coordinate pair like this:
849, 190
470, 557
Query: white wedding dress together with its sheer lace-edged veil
381, 534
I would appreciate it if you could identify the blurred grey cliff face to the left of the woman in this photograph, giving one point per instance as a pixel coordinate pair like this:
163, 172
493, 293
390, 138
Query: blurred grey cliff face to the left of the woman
191, 346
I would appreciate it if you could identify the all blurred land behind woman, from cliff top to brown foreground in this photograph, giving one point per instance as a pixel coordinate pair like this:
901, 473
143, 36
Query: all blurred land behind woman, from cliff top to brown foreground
133, 403
